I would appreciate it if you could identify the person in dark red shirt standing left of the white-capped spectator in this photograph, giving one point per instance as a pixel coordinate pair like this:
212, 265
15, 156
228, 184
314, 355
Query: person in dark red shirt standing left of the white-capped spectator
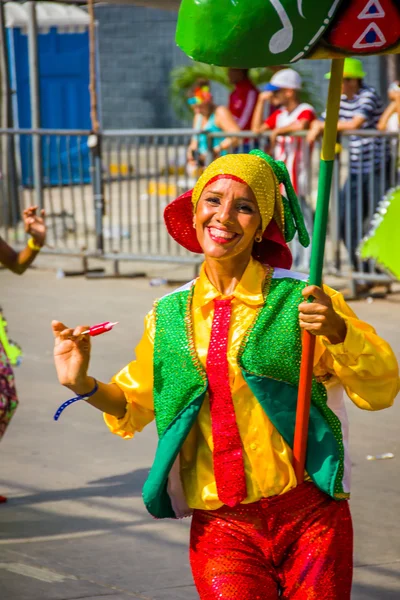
243, 99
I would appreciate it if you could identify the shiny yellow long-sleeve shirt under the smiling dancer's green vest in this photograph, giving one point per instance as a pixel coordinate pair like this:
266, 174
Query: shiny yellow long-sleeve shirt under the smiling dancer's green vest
364, 364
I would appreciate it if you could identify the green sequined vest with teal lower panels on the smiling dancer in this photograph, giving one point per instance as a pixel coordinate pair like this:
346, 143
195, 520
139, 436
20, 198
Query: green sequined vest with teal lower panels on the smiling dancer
269, 358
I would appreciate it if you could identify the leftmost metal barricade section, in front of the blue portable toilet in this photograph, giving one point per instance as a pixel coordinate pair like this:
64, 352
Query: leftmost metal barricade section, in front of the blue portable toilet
66, 187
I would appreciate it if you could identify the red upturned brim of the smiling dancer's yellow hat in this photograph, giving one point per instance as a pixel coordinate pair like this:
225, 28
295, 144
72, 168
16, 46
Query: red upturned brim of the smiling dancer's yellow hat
178, 217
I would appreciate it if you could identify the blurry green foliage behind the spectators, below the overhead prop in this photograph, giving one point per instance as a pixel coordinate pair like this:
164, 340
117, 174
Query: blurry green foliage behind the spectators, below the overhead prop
182, 78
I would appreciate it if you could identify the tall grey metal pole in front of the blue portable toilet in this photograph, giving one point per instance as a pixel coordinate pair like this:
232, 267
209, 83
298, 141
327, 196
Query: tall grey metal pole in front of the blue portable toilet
35, 101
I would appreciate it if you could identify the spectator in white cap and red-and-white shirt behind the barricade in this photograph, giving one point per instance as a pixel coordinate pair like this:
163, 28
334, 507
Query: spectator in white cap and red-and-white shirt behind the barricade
292, 116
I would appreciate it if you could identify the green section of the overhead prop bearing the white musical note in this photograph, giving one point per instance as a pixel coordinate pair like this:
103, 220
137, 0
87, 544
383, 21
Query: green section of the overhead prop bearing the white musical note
248, 33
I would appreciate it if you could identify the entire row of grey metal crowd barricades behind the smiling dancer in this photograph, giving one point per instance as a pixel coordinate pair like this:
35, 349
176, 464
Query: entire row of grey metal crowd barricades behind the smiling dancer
143, 170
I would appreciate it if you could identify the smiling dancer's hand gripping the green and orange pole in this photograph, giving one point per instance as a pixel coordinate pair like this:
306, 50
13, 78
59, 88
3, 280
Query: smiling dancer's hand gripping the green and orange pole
319, 317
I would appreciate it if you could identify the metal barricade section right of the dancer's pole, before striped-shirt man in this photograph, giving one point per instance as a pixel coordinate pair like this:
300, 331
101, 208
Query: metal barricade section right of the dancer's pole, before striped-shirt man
360, 182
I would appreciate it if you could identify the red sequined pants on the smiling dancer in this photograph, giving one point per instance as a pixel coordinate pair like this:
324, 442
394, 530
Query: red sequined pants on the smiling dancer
296, 546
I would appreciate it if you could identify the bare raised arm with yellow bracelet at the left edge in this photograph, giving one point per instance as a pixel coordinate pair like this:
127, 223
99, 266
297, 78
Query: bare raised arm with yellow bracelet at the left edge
18, 262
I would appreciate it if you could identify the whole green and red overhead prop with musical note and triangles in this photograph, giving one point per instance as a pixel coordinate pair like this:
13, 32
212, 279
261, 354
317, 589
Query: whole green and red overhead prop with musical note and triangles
259, 33
